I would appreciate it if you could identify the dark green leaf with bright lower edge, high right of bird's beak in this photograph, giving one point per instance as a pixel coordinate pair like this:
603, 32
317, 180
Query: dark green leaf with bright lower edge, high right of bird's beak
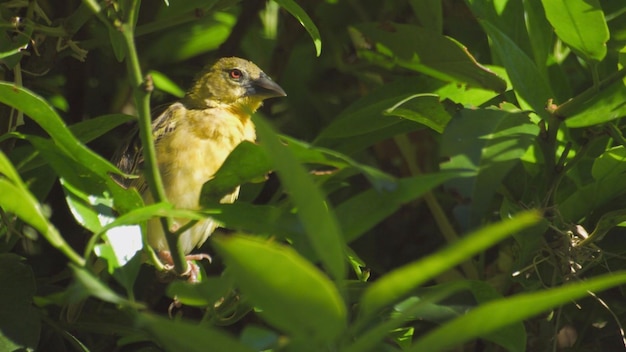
426, 51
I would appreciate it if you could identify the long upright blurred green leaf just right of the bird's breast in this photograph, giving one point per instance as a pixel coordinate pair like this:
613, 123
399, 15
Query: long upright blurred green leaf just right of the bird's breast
317, 217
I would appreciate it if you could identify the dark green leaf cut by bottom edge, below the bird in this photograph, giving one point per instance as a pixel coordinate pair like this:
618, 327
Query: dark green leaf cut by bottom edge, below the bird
176, 335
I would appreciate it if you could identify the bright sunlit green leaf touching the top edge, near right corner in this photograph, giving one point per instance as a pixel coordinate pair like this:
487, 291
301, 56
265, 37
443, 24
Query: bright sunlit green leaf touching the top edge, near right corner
581, 25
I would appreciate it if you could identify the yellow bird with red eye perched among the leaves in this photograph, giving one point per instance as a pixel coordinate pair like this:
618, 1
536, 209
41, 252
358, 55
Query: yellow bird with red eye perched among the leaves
192, 139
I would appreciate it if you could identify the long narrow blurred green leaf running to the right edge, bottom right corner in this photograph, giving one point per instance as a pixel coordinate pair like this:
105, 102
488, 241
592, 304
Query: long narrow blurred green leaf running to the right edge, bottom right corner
503, 312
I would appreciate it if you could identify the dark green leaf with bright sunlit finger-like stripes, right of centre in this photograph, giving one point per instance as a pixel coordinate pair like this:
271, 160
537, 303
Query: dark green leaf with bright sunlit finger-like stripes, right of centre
487, 142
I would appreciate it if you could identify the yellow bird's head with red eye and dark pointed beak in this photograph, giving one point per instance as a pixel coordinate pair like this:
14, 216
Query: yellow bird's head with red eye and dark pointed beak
235, 82
